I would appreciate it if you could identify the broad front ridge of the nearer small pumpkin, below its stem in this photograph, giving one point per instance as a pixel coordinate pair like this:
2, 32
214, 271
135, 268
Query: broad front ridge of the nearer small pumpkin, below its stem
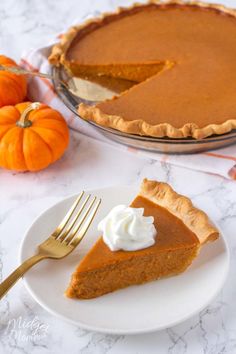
37, 153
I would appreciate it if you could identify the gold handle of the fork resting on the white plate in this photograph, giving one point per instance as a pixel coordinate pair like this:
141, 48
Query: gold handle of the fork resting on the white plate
18, 273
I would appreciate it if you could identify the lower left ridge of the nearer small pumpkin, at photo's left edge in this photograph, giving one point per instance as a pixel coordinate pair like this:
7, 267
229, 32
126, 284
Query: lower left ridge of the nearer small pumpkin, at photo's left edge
11, 150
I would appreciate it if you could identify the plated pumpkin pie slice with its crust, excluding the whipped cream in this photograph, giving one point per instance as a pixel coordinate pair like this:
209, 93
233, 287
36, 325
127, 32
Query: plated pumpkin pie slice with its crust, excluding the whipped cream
181, 231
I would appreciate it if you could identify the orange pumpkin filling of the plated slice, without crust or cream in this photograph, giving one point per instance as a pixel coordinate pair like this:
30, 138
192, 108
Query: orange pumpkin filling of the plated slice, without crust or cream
103, 271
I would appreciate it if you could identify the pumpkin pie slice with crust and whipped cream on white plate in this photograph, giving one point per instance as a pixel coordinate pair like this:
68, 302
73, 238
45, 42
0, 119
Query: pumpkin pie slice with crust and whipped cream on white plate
159, 235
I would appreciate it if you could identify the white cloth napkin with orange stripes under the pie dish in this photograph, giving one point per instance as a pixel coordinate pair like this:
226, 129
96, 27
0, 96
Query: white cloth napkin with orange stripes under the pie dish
221, 162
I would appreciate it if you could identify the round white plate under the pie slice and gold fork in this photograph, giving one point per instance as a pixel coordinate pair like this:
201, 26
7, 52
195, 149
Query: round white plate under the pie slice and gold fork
137, 309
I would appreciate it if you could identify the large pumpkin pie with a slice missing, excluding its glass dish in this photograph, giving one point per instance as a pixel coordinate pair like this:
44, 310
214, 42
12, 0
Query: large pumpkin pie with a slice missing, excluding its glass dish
181, 58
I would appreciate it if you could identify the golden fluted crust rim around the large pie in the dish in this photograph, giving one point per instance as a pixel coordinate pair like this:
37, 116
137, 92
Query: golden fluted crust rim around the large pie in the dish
139, 127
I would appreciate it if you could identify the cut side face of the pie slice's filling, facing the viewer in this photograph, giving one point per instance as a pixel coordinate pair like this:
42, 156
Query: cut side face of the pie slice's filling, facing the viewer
130, 272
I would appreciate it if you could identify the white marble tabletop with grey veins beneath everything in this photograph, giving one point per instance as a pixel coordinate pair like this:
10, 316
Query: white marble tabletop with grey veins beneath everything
89, 164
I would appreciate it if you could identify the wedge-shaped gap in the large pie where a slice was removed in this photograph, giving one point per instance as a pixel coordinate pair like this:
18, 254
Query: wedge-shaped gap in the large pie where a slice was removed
114, 79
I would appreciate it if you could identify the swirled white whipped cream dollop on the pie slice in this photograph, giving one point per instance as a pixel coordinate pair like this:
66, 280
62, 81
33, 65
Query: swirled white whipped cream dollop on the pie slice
125, 228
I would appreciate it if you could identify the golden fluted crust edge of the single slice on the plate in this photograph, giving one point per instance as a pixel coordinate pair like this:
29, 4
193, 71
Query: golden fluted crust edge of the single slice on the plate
195, 219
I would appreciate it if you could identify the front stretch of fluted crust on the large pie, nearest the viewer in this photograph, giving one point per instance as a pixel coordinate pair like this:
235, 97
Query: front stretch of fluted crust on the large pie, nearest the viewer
140, 127
